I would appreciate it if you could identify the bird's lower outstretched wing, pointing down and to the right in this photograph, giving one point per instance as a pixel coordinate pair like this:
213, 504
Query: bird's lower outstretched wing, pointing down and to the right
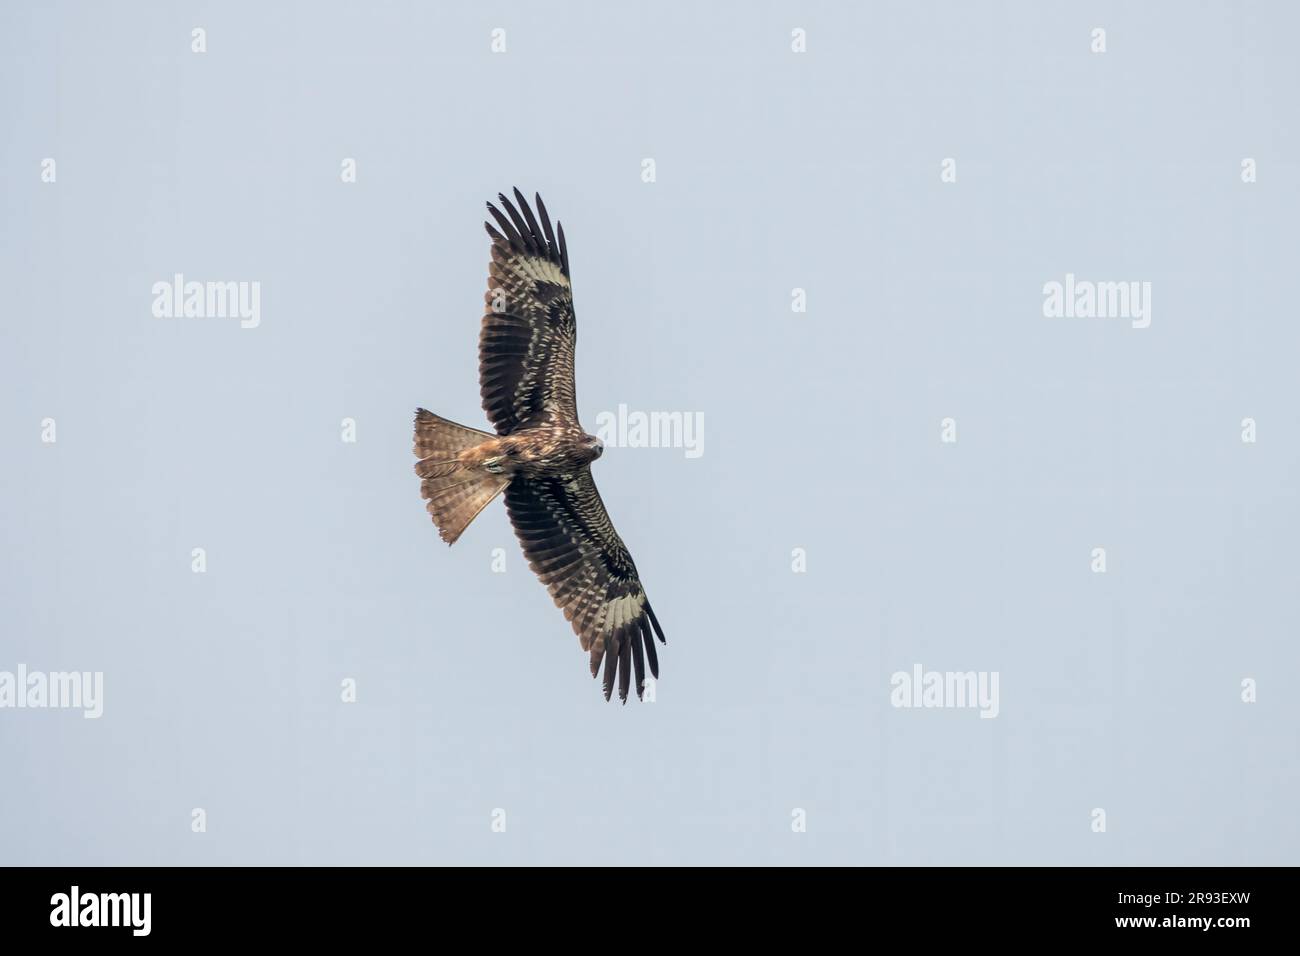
574, 548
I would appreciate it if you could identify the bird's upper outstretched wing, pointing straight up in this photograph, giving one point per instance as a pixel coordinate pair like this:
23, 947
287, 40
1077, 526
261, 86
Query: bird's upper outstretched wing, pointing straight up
526, 347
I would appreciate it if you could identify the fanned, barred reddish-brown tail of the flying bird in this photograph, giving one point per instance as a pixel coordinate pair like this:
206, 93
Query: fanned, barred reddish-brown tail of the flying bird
456, 494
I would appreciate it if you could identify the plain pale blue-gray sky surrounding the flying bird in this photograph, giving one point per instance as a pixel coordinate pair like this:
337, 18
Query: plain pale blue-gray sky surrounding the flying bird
822, 431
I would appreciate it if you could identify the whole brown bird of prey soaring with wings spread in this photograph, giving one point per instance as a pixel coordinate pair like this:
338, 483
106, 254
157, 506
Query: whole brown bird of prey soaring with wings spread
540, 456
